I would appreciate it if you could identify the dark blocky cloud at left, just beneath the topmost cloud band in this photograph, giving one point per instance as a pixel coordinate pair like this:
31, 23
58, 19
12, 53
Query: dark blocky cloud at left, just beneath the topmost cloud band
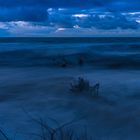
23, 14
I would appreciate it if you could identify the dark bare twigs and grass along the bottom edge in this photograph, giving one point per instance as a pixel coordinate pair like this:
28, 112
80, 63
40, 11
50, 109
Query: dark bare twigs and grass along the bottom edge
49, 133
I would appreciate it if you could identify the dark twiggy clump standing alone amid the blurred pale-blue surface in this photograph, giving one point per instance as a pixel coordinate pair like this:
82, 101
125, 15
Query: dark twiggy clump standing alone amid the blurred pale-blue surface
83, 86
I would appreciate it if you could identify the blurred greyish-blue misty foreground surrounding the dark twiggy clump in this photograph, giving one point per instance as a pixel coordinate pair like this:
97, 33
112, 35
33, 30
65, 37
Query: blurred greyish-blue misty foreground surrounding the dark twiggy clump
44, 93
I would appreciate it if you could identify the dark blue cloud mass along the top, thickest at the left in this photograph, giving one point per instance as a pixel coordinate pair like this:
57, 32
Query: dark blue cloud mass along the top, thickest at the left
35, 10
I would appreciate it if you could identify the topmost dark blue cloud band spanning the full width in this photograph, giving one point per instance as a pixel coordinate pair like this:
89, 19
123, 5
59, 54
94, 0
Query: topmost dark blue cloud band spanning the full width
73, 3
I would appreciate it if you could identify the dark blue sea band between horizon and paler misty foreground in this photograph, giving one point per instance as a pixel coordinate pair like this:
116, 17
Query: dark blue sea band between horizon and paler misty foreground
104, 53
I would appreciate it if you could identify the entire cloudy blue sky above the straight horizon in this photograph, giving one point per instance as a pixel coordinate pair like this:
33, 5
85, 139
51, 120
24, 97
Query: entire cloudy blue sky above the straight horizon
69, 18
